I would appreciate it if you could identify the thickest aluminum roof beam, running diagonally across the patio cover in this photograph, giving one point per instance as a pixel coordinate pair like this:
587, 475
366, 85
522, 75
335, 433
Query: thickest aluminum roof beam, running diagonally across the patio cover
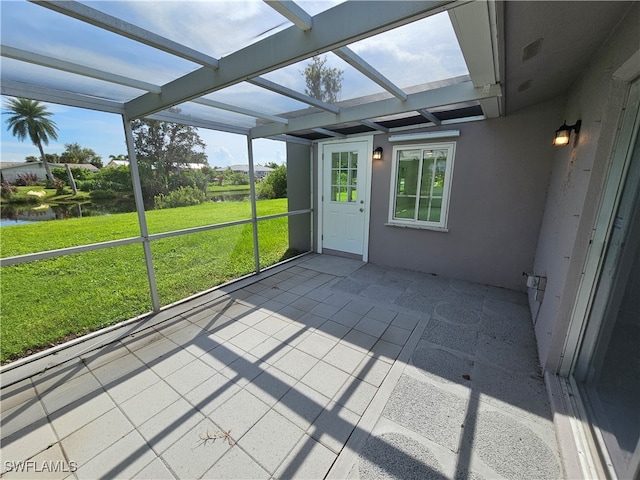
339, 26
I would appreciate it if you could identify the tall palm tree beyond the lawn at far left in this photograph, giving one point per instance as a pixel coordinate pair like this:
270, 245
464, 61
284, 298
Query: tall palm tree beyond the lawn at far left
29, 118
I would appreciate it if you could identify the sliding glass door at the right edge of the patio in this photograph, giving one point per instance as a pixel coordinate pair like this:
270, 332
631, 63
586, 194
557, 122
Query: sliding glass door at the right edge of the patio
608, 368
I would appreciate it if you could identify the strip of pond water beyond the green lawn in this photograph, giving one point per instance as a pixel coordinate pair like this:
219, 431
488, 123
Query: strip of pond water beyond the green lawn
11, 215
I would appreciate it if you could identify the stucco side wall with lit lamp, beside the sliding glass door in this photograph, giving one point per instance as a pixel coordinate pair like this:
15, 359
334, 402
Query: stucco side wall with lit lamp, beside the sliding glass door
577, 180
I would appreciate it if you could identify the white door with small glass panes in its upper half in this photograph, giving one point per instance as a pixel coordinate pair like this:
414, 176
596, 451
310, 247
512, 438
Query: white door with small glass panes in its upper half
344, 195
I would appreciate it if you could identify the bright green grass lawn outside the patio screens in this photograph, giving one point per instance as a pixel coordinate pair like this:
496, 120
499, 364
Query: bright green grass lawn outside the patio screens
48, 301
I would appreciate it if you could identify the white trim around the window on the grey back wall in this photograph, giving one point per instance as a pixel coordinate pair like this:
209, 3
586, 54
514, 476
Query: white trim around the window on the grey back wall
440, 226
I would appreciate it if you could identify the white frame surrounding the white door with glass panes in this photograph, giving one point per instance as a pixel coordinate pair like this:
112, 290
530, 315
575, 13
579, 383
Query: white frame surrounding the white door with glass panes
368, 139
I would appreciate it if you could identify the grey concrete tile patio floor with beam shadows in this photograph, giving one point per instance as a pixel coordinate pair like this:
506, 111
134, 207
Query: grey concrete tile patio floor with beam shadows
327, 368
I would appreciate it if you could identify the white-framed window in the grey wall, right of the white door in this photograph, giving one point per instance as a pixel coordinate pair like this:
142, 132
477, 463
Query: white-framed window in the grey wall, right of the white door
420, 185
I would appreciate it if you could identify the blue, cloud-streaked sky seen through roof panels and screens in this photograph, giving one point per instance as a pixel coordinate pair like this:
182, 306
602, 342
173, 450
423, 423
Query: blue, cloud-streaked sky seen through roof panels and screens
417, 53
